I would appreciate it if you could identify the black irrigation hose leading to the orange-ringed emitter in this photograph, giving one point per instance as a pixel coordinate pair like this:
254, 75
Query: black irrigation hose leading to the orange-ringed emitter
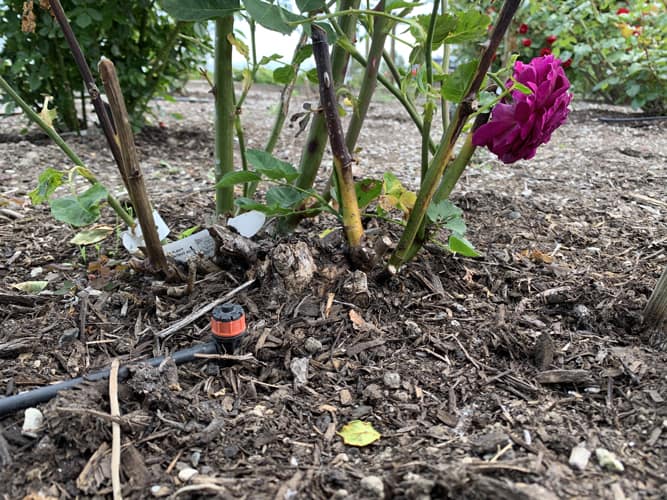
31, 398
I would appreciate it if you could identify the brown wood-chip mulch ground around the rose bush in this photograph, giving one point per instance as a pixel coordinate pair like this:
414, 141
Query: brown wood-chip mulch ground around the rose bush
481, 375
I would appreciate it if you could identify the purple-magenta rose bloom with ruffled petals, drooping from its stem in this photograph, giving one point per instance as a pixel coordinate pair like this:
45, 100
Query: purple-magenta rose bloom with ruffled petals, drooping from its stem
517, 128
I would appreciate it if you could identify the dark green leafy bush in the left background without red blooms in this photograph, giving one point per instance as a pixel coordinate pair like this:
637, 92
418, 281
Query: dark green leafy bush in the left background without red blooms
151, 51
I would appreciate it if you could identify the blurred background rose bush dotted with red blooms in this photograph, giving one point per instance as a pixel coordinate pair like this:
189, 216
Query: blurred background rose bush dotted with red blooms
613, 51
